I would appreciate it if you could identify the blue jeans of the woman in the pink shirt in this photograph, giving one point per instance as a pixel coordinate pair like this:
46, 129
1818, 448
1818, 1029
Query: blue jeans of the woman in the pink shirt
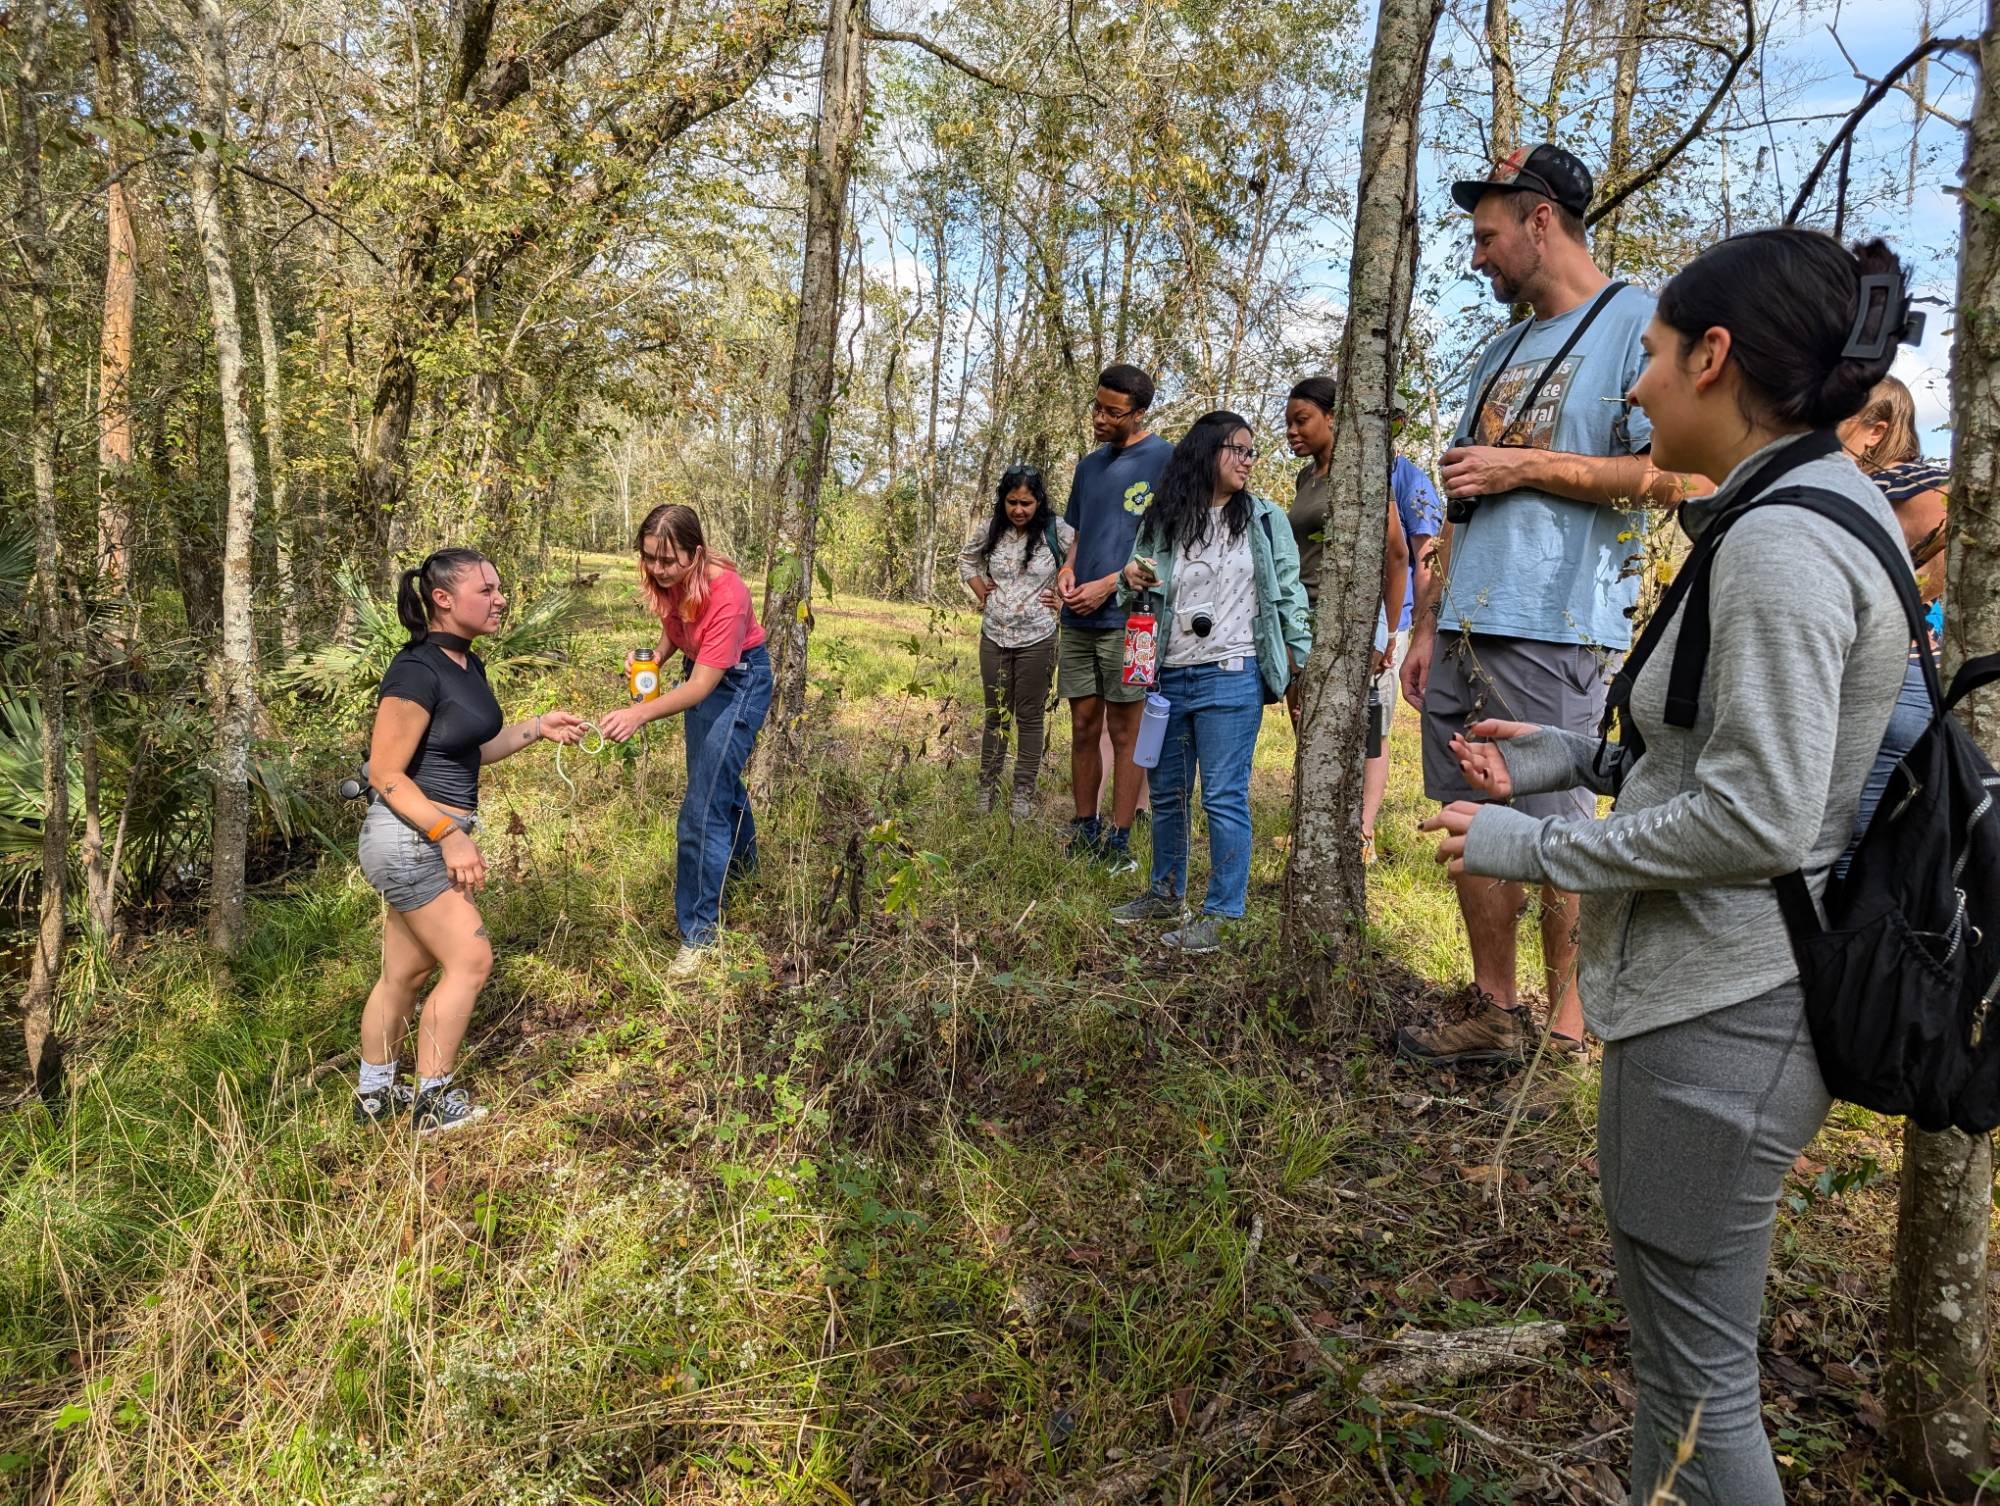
717, 831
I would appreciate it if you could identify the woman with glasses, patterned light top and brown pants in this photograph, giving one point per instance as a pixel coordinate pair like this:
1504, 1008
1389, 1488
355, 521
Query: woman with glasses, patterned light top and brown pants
1011, 565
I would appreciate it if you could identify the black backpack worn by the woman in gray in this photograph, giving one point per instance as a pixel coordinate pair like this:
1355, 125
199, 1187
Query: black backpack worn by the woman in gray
1903, 967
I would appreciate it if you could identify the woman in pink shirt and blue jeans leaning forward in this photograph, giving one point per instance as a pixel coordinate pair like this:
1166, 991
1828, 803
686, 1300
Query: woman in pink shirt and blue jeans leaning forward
705, 615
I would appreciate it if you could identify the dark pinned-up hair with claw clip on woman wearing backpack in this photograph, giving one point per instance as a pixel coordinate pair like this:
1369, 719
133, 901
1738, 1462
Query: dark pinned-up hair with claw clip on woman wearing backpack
1789, 301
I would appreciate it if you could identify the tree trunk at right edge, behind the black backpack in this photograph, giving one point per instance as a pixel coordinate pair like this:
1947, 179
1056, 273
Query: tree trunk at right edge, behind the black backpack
1939, 1373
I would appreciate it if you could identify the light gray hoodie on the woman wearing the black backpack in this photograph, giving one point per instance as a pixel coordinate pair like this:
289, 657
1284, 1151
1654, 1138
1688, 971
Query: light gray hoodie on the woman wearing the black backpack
1805, 661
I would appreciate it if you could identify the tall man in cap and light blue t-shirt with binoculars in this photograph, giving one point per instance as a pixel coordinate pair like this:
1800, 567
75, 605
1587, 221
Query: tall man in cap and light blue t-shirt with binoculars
1547, 487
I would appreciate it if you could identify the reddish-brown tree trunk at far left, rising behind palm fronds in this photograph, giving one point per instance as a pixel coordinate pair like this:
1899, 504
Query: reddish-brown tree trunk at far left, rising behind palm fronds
111, 35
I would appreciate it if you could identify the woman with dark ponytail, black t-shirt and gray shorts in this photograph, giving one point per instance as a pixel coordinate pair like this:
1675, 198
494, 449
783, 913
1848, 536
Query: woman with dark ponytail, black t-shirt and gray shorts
437, 725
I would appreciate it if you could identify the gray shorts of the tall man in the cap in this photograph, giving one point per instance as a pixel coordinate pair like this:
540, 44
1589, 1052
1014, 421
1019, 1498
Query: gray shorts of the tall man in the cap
1479, 677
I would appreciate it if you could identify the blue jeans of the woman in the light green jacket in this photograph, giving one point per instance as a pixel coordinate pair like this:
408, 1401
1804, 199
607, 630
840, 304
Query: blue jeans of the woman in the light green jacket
1211, 729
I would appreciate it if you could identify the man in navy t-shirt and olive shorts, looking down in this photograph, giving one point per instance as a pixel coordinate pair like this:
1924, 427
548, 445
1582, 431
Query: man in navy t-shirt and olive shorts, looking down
1109, 497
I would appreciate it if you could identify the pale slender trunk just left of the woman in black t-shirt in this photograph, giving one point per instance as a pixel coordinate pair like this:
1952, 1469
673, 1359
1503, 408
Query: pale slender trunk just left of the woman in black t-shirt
233, 689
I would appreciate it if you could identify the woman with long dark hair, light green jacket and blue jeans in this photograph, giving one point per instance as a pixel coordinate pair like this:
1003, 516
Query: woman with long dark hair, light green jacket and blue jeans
1233, 629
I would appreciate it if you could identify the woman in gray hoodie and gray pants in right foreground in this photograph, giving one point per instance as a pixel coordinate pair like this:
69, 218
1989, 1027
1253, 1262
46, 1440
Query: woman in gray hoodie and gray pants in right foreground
1711, 1087
